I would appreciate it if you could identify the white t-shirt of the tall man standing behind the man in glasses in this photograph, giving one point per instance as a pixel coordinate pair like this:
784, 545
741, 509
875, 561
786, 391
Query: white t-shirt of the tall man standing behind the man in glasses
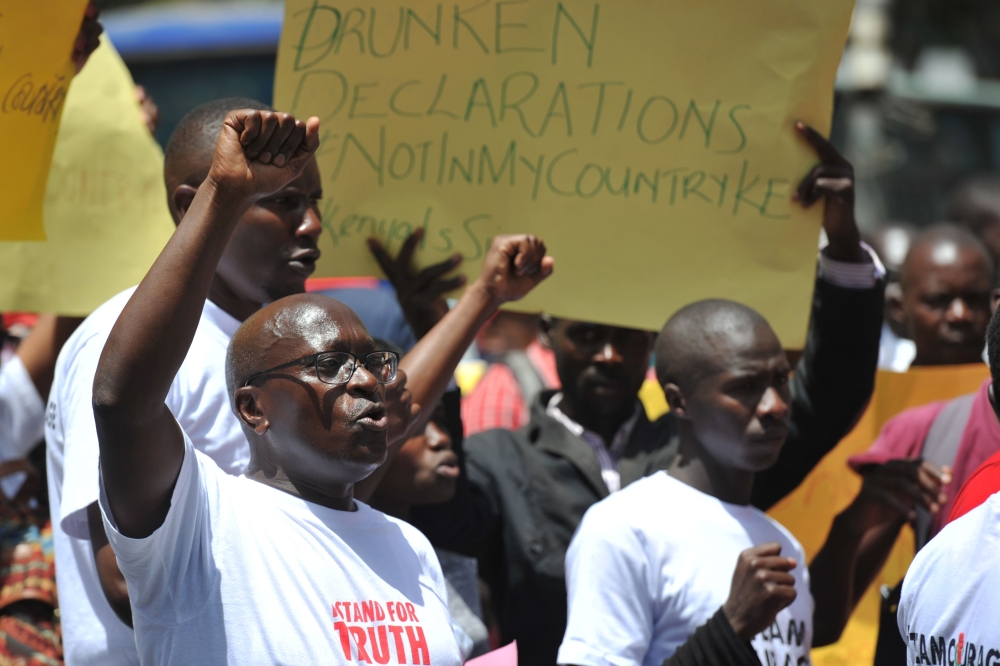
92, 633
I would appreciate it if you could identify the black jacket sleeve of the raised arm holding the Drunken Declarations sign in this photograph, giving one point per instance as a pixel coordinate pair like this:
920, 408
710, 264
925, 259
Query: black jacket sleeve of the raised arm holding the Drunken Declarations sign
831, 385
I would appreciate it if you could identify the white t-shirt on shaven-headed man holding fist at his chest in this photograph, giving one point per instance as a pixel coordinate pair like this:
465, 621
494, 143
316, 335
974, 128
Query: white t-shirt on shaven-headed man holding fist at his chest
653, 562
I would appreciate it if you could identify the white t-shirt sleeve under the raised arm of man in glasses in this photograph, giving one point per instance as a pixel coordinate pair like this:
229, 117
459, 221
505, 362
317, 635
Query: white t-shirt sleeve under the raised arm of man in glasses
172, 572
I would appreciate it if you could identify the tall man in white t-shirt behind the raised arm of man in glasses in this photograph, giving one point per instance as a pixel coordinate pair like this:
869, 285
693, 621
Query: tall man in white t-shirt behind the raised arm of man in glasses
273, 250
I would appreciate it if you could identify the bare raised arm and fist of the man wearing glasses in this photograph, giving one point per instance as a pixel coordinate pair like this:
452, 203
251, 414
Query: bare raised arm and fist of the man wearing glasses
142, 447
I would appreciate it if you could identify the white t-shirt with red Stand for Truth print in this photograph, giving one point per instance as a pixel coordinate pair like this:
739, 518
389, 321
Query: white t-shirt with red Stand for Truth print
242, 573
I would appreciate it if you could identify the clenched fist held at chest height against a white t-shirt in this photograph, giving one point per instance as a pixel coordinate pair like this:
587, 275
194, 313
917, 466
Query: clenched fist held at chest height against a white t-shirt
762, 587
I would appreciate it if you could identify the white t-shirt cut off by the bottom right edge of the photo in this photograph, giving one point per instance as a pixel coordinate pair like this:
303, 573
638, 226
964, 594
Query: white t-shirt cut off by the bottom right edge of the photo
949, 612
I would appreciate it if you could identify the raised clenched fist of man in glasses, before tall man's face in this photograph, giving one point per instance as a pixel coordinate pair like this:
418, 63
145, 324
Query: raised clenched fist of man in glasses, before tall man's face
259, 152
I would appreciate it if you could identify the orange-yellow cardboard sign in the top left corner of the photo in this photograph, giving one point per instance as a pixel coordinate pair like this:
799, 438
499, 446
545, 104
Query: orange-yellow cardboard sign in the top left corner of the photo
36, 47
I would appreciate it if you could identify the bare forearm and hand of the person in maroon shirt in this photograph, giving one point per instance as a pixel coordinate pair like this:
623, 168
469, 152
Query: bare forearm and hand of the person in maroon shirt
862, 536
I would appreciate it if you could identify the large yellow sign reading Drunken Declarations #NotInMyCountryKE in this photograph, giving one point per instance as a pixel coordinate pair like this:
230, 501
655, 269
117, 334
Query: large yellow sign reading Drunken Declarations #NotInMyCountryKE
650, 144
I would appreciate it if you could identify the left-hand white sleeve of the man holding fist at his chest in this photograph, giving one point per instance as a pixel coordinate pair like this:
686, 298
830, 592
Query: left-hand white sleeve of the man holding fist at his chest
610, 609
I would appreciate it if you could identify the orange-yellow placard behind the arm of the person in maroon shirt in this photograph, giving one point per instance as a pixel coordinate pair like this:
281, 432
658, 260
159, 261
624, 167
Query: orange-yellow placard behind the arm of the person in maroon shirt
809, 511
